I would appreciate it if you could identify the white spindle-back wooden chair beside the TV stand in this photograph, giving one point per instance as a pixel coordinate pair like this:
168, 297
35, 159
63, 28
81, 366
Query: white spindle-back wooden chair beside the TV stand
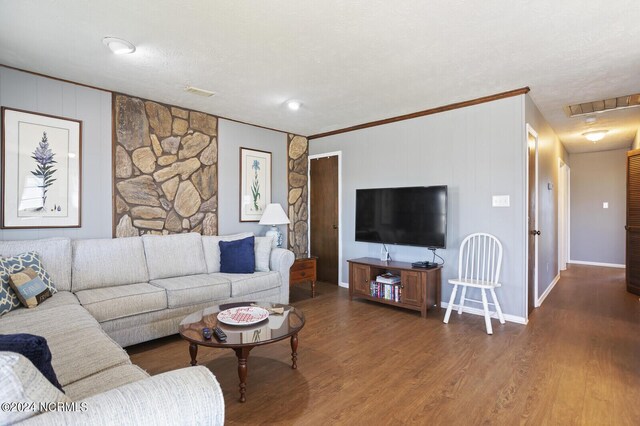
479, 263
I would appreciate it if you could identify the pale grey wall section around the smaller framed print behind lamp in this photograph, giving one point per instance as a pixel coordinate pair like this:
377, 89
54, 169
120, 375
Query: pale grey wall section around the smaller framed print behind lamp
231, 136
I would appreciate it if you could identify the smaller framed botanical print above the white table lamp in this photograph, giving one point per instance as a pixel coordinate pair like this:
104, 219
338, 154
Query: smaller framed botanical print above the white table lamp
255, 183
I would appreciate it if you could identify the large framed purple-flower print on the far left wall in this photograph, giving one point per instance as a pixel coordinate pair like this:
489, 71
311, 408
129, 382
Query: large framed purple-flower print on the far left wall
41, 170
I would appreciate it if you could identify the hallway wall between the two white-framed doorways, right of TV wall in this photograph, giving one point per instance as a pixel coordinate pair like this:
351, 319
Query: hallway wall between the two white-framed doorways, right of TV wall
549, 150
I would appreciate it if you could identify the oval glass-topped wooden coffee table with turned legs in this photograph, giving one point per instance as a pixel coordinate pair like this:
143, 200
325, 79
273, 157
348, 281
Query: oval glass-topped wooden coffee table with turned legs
243, 338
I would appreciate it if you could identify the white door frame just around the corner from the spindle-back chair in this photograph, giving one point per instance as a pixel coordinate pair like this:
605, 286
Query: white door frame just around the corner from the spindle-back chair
529, 130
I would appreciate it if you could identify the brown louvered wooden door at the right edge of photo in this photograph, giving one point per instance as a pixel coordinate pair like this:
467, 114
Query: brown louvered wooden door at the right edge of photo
633, 222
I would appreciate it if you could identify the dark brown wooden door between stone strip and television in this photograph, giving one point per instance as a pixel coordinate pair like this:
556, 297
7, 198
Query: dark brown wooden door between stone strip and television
324, 217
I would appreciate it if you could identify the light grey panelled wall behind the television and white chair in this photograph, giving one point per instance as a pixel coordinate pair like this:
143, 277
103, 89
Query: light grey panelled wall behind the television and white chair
477, 151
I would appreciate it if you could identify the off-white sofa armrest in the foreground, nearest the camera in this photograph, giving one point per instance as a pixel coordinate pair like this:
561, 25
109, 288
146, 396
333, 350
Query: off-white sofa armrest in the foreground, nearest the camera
189, 396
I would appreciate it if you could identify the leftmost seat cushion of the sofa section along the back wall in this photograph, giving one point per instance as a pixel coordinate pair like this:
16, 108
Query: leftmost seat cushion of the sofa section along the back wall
121, 301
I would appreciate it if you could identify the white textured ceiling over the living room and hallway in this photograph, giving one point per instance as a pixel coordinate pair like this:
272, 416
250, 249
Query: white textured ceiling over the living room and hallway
349, 62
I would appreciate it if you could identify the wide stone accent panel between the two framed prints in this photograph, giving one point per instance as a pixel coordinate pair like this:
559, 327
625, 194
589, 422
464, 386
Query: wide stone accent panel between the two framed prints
165, 169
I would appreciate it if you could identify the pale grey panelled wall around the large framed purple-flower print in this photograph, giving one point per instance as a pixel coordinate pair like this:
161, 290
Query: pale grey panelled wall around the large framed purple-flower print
38, 94
